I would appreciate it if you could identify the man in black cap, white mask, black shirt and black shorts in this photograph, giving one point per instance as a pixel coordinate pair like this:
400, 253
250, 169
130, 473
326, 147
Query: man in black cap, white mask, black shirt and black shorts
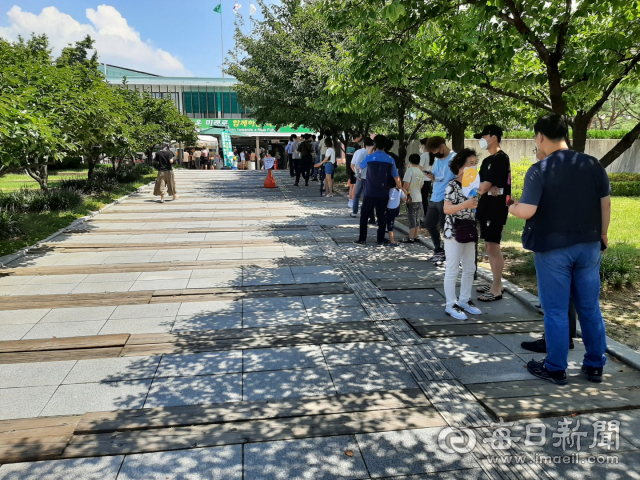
495, 188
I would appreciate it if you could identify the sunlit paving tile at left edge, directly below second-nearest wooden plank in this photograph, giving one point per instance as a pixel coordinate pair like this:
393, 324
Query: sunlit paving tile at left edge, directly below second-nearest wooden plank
34, 374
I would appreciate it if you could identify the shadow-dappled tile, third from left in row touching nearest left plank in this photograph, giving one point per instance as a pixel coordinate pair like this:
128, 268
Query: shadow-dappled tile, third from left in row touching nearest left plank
173, 391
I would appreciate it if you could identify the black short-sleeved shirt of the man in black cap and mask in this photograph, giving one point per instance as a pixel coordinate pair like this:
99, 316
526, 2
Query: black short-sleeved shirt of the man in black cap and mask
496, 169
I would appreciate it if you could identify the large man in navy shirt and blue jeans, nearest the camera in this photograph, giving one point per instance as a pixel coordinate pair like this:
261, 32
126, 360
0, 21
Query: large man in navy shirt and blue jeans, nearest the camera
566, 202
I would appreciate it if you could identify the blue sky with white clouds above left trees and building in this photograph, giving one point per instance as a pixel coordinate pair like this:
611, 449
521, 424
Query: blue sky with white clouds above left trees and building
168, 37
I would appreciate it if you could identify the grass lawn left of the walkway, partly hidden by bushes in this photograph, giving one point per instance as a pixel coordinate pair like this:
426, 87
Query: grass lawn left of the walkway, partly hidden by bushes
37, 226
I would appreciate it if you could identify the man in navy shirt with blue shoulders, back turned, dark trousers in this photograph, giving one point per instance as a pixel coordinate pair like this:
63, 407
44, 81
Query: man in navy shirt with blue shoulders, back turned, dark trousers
380, 170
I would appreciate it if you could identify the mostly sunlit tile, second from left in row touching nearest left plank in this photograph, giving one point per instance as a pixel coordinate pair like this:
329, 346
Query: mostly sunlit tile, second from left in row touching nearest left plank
80, 398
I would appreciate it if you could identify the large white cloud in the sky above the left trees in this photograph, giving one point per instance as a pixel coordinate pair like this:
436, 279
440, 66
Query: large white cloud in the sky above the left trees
116, 41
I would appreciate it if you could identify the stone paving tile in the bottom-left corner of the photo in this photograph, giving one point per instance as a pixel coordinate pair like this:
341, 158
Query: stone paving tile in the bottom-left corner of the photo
98, 468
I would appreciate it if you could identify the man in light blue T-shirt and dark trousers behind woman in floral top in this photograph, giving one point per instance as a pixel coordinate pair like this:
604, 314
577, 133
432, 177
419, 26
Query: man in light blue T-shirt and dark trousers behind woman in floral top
440, 177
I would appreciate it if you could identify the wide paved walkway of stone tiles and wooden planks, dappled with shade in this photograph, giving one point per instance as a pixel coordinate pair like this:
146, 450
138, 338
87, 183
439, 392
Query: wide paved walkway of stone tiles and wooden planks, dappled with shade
238, 333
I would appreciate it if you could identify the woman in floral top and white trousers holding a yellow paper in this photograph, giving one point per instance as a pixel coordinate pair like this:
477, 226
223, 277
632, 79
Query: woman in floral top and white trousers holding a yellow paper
458, 209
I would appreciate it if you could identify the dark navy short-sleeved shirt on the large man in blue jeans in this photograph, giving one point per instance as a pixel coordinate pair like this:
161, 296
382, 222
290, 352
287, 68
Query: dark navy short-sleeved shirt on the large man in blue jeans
567, 187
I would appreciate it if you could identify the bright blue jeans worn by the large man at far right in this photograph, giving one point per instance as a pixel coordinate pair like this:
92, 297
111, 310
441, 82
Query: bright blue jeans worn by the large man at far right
564, 273
